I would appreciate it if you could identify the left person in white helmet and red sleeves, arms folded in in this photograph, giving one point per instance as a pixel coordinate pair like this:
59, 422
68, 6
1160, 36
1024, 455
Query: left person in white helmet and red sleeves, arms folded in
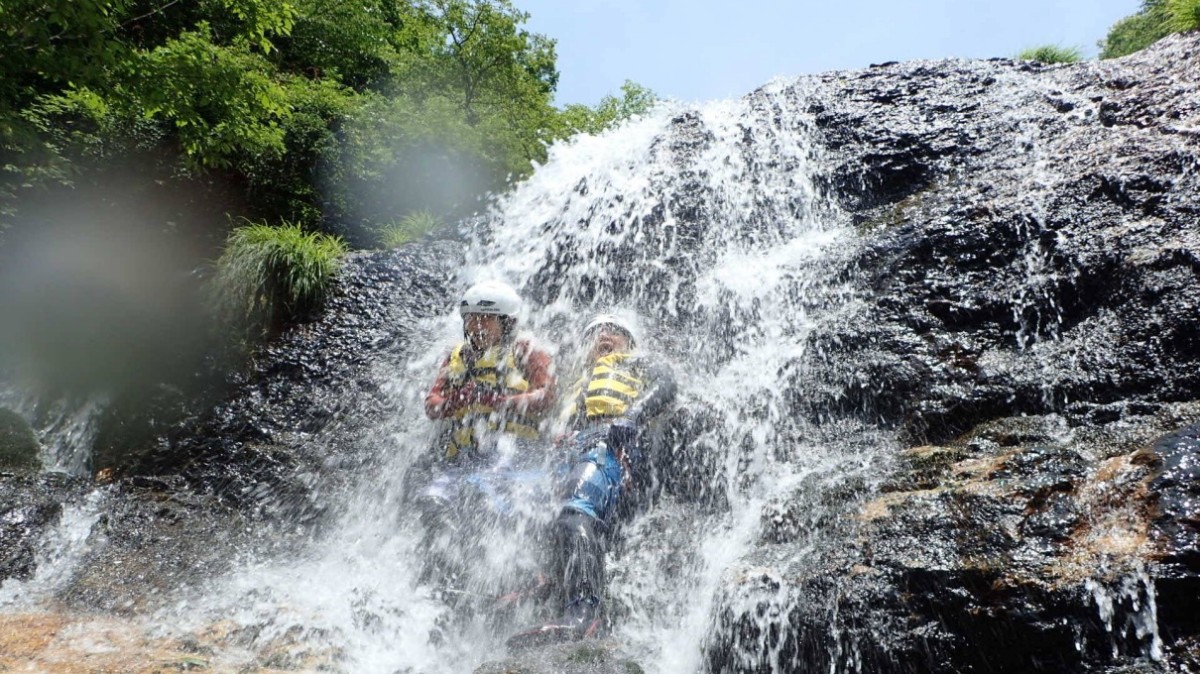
491, 382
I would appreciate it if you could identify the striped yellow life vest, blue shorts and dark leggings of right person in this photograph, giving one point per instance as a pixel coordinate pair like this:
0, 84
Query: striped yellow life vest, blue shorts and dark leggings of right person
611, 404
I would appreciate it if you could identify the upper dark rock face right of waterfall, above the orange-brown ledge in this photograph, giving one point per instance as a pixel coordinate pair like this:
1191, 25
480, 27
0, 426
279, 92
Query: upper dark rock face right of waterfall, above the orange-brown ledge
1031, 237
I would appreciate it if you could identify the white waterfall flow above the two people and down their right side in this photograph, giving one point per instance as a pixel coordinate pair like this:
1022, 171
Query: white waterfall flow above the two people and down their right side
709, 226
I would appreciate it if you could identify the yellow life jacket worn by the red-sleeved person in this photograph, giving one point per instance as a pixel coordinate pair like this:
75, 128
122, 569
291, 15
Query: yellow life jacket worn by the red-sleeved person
499, 371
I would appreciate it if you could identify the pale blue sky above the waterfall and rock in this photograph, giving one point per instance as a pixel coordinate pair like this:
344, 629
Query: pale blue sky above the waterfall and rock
704, 50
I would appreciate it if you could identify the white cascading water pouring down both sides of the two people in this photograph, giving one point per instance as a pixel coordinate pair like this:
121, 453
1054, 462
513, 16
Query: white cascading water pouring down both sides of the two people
706, 226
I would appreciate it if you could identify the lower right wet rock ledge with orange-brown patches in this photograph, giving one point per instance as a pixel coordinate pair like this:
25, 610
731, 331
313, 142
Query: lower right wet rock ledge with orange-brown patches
1029, 545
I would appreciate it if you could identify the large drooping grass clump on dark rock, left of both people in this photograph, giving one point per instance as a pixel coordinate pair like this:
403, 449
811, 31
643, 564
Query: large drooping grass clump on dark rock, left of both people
271, 276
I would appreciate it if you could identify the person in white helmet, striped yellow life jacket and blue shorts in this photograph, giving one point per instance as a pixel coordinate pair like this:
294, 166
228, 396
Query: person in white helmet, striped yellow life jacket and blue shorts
619, 394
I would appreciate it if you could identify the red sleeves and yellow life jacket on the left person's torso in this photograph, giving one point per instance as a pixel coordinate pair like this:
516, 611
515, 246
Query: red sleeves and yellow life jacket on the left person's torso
503, 389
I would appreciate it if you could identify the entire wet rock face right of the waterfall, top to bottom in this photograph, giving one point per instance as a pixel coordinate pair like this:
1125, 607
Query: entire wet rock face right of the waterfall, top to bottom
1030, 326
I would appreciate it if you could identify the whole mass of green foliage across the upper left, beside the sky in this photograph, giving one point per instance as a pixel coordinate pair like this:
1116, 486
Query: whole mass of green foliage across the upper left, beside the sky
323, 112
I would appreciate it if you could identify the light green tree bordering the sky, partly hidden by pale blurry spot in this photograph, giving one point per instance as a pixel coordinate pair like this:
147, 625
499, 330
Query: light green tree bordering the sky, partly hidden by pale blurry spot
465, 112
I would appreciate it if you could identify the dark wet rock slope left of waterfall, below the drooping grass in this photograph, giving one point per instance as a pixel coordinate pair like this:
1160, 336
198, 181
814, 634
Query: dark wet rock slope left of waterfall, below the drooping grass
287, 430
